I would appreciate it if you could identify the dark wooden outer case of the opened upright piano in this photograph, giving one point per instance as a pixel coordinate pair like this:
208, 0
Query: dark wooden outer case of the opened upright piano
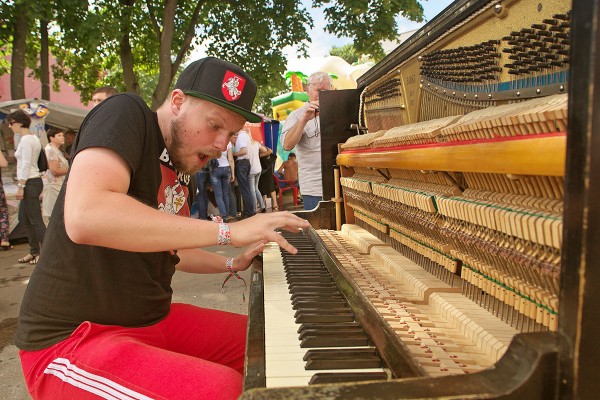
560, 365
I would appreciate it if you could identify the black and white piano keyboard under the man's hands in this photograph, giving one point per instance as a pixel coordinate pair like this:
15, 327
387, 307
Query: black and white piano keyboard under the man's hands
311, 335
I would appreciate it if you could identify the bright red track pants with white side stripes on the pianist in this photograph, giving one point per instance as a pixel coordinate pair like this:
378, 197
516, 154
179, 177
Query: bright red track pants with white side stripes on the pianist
194, 353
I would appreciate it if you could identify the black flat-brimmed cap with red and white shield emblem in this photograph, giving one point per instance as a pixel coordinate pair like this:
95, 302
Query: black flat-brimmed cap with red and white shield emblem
222, 83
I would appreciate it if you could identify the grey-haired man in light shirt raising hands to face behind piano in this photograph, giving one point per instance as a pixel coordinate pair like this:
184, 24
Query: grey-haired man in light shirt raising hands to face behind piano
301, 129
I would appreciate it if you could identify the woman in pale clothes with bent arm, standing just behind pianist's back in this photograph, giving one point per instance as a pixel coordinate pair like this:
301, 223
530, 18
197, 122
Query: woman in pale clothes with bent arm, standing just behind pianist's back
58, 166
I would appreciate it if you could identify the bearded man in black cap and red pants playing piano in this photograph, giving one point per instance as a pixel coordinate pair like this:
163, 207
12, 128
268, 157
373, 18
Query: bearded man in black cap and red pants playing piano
96, 320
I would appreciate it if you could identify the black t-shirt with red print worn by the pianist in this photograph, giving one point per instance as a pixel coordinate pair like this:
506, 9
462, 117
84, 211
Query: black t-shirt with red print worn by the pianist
73, 283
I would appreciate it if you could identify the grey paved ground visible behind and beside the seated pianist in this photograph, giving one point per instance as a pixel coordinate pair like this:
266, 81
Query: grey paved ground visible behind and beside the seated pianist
201, 290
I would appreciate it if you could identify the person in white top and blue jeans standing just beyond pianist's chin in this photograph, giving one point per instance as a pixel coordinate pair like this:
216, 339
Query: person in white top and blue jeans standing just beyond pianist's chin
241, 141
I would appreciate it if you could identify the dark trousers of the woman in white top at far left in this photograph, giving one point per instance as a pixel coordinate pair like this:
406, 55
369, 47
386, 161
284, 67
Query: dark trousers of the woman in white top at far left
30, 214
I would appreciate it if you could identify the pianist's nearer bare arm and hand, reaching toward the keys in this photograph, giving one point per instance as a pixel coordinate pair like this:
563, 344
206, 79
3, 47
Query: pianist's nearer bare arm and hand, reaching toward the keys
98, 211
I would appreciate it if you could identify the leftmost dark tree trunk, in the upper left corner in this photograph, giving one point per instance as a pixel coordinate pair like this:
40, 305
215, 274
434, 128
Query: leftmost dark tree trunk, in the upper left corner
17, 68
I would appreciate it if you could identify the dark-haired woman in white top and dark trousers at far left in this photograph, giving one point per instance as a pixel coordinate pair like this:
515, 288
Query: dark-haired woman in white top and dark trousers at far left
30, 185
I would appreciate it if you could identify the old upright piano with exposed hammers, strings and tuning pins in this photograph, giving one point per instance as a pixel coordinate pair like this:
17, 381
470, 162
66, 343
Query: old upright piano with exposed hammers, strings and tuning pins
455, 254
